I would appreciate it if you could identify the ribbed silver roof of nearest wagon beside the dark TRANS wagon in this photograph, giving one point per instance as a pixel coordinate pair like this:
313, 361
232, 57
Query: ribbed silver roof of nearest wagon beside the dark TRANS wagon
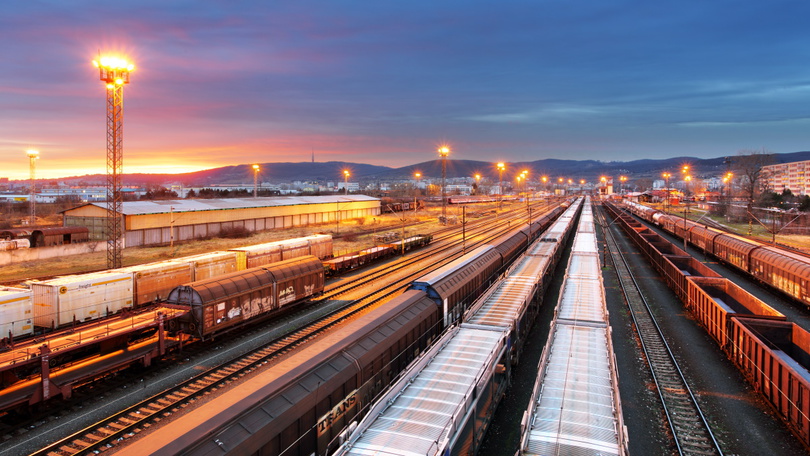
421, 419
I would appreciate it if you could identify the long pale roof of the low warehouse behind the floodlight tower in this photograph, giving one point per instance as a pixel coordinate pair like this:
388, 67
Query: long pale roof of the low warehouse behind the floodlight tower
192, 205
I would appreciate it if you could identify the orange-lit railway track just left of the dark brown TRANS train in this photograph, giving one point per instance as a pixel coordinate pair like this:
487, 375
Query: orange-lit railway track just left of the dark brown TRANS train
132, 420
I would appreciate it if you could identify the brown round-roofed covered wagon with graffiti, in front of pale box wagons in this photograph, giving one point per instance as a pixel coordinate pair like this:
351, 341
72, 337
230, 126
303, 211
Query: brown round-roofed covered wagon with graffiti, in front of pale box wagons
221, 303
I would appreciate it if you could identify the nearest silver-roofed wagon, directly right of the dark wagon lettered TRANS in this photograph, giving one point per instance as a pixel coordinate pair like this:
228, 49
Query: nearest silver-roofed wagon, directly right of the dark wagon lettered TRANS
442, 404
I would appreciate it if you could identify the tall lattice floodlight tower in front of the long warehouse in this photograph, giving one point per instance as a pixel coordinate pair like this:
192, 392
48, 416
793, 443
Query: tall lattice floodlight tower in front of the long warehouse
114, 72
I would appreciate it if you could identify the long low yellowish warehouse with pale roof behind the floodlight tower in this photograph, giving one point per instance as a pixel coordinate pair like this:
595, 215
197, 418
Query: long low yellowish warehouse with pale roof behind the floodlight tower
160, 222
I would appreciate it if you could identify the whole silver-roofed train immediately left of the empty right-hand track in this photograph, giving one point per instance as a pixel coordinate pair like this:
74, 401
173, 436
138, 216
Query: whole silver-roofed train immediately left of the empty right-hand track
575, 406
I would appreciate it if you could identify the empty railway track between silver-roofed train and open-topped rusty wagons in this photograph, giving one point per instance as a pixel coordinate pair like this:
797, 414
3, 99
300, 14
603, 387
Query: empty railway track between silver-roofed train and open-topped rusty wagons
690, 429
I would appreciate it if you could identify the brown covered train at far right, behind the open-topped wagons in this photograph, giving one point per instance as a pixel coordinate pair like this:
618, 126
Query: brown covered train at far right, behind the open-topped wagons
786, 271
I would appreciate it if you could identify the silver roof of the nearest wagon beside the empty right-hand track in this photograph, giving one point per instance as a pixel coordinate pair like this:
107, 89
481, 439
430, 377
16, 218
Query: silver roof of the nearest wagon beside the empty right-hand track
574, 412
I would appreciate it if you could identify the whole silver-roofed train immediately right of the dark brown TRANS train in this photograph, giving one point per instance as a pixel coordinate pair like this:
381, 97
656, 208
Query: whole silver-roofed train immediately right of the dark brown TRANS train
471, 363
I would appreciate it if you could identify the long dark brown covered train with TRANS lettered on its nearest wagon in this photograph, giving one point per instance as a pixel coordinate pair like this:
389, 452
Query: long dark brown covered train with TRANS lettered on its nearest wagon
303, 405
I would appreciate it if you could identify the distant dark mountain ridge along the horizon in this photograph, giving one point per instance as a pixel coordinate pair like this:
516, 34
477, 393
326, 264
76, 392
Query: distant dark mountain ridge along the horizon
333, 171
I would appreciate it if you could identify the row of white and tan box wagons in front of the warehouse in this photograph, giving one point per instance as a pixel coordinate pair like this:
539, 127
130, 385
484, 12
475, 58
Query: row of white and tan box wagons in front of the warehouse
70, 300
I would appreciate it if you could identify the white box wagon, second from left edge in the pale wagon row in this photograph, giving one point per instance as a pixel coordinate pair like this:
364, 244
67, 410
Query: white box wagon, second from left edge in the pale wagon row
63, 300
